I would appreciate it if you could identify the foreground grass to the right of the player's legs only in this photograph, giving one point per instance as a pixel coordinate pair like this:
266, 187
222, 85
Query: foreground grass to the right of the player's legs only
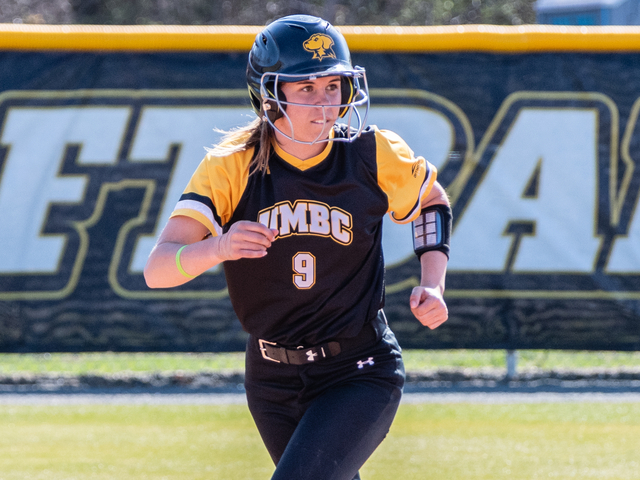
516, 441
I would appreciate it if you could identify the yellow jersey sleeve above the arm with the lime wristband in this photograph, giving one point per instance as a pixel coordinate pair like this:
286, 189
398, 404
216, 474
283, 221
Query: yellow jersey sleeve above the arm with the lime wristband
215, 188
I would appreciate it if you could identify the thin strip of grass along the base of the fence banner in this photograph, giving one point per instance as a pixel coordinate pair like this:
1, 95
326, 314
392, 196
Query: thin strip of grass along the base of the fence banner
109, 363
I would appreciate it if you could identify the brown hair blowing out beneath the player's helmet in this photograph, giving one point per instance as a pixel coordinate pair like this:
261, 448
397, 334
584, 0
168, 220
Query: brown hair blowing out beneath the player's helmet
256, 134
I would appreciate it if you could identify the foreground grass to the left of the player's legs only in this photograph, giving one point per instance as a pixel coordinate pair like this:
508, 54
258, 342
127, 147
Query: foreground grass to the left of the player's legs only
129, 442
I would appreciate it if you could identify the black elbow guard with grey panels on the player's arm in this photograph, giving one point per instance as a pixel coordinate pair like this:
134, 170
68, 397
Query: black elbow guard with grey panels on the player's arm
432, 229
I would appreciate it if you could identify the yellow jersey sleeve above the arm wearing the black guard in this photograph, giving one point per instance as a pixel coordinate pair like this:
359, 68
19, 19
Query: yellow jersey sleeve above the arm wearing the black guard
404, 178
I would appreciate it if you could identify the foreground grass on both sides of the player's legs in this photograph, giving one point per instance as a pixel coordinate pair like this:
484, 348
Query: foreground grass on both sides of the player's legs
430, 441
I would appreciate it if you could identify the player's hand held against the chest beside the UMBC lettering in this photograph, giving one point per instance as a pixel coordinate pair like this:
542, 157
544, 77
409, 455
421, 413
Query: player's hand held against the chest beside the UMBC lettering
245, 240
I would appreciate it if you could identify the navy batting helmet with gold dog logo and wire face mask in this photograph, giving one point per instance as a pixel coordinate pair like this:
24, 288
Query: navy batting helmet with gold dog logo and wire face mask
297, 48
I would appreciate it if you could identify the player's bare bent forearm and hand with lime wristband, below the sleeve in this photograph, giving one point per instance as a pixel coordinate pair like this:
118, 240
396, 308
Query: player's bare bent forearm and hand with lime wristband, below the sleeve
201, 252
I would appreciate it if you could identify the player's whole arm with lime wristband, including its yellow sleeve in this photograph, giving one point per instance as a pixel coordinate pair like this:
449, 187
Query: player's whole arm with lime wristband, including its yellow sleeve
195, 226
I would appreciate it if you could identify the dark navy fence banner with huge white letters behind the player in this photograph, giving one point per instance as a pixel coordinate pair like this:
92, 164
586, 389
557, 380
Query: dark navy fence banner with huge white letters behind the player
538, 152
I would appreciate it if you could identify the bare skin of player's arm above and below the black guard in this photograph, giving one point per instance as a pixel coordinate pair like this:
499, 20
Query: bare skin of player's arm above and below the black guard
427, 301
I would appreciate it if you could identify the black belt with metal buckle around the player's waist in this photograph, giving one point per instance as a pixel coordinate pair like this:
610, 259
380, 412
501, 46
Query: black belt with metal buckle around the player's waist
304, 355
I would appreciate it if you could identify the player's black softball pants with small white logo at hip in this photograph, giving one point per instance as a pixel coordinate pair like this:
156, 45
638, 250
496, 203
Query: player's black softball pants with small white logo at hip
322, 421
